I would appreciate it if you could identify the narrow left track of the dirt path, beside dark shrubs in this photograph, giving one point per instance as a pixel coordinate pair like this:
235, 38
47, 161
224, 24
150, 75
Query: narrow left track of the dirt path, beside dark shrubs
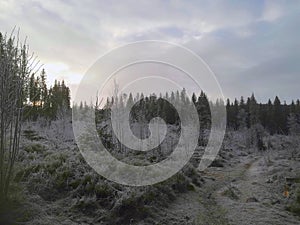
200, 207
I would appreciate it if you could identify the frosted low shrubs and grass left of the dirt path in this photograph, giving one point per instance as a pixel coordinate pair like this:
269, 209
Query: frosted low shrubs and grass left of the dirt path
53, 171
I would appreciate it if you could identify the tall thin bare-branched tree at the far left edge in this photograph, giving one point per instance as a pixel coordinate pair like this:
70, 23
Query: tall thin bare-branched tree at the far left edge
14, 74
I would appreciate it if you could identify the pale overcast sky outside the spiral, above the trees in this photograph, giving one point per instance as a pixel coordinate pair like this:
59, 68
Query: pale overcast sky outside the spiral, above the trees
252, 46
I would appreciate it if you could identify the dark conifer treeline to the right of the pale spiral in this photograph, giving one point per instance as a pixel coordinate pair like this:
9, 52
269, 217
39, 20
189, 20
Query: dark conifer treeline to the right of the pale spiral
274, 116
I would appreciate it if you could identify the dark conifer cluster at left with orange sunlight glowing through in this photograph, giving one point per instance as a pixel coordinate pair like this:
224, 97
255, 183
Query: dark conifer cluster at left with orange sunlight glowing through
41, 101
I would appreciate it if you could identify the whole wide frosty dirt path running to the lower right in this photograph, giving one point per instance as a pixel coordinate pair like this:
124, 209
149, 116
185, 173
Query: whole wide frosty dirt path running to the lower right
235, 195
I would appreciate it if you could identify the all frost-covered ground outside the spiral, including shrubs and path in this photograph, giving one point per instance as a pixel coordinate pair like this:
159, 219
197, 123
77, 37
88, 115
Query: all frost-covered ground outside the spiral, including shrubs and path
54, 185
